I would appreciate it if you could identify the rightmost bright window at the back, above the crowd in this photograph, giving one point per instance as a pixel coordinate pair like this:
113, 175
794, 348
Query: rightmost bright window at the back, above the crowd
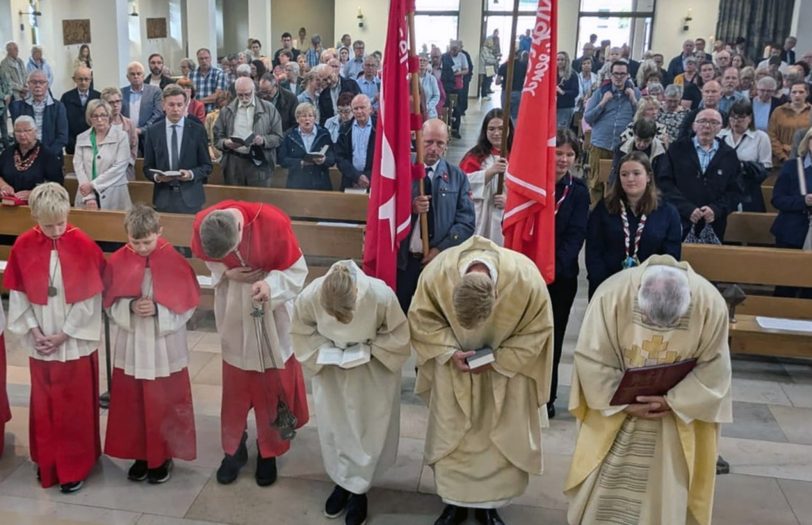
619, 21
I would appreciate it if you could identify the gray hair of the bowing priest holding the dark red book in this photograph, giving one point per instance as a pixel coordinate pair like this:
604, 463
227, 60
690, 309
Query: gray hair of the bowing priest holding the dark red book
664, 295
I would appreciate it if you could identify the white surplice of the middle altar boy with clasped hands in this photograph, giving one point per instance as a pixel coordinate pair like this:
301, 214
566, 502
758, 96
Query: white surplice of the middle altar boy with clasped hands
149, 347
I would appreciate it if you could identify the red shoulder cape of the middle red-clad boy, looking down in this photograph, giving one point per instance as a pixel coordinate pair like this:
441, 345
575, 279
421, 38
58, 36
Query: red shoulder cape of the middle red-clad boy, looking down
174, 284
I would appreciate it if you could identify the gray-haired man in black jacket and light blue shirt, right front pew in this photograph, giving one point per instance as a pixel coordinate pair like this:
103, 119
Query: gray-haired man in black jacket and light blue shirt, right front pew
700, 175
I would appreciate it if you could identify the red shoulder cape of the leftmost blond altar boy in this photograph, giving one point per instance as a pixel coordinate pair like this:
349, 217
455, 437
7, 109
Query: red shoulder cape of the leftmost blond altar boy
80, 259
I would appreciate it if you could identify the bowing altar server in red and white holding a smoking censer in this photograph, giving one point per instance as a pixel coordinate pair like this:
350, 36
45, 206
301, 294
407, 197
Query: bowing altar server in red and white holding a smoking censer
257, 269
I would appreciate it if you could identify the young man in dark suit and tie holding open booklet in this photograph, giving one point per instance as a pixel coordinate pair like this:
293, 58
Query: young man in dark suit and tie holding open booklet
183, 194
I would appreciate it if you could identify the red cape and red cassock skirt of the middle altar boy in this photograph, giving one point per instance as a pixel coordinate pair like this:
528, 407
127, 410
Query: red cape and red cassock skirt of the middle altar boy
153, 419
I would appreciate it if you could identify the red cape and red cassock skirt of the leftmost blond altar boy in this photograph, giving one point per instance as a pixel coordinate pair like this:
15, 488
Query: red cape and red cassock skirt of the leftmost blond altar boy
64, 417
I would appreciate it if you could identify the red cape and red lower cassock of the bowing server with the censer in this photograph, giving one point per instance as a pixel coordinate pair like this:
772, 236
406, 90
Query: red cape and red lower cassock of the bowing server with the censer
268, 243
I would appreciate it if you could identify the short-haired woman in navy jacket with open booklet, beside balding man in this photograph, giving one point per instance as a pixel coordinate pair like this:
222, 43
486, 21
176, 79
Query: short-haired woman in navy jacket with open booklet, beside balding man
307, 152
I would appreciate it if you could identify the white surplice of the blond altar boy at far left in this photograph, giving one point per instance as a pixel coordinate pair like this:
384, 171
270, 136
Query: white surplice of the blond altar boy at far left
81, 322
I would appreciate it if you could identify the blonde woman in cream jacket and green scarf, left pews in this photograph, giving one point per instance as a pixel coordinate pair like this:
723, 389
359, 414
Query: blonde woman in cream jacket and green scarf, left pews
100, 161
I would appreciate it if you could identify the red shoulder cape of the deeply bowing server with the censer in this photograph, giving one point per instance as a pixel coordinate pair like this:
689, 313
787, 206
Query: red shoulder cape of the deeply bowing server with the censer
268, 242
